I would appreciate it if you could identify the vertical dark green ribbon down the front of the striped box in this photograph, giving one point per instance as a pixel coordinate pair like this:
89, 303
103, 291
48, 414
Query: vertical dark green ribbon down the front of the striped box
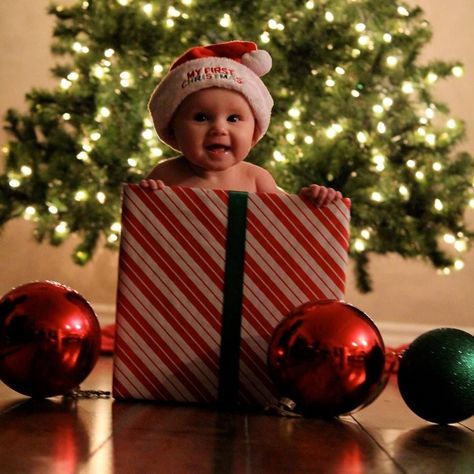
233, 296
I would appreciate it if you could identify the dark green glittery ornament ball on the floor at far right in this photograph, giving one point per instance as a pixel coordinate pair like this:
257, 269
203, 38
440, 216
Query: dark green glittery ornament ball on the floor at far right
436, 376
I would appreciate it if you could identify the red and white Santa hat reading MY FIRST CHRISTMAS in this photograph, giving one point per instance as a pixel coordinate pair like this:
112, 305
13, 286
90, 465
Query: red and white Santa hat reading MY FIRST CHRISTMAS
234, 65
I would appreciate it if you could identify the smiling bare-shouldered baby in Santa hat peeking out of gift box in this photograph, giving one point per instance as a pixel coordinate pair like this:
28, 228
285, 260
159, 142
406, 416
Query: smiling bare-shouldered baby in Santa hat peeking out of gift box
213, 108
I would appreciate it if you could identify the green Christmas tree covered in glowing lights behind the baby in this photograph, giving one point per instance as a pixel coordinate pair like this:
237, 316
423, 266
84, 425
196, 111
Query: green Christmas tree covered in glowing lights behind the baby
354, 110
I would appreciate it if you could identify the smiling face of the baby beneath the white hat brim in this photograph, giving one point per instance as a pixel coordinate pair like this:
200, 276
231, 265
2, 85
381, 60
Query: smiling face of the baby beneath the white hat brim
214, 128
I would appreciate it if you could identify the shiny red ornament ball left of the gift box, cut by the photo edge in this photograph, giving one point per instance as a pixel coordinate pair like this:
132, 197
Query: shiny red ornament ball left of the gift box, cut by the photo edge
49, 339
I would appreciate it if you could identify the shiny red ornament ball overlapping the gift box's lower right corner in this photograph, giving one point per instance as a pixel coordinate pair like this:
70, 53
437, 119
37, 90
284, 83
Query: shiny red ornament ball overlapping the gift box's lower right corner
328, 357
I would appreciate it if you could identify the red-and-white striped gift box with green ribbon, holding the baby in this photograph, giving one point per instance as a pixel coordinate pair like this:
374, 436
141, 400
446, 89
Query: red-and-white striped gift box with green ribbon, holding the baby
204, 278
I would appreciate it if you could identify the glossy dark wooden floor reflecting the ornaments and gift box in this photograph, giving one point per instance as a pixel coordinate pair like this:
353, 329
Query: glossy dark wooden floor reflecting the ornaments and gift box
63, 436
